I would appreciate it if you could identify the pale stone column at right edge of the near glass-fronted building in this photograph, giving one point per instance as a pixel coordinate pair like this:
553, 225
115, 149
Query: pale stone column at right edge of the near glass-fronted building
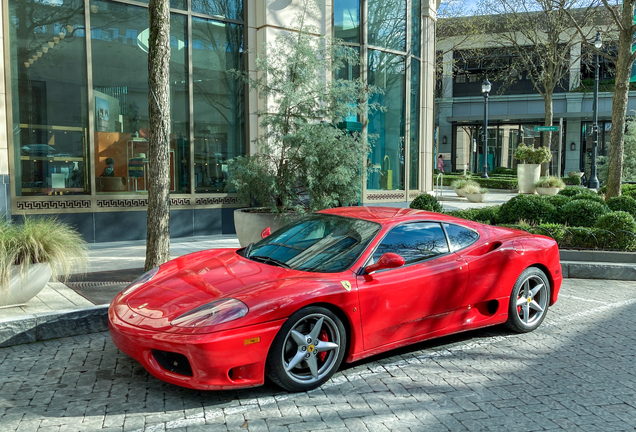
429, 15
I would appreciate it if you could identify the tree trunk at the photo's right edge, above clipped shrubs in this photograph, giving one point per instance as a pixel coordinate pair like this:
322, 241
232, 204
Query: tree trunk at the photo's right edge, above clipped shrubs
619, 102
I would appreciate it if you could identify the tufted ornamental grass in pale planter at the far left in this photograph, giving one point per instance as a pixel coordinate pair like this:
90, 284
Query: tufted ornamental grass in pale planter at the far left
32, 252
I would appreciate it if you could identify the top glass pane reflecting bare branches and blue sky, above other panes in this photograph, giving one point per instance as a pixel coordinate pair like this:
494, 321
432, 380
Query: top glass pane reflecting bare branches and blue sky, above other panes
387, 24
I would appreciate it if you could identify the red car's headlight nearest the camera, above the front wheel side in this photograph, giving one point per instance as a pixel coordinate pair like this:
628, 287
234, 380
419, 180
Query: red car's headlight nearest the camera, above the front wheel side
216, 312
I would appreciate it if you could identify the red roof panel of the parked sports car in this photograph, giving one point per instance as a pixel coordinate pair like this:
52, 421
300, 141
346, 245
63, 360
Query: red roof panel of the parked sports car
386, 215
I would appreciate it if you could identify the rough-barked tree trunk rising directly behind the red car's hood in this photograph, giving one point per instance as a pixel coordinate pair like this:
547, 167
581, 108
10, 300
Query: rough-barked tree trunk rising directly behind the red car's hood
158, 236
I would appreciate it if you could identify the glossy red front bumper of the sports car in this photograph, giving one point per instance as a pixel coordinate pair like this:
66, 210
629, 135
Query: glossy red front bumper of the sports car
218, 361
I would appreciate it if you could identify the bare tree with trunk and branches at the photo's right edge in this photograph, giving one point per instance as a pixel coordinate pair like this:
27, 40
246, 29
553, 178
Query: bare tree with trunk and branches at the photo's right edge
621, 15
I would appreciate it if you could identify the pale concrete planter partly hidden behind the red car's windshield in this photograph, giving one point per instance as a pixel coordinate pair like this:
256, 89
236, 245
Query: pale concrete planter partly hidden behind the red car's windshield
250, 222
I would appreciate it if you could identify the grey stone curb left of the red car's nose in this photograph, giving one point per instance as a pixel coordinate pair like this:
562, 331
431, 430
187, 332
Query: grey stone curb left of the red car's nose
51, 325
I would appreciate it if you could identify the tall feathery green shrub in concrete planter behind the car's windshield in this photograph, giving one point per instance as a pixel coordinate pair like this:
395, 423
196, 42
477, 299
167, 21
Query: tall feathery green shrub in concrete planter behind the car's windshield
307, 158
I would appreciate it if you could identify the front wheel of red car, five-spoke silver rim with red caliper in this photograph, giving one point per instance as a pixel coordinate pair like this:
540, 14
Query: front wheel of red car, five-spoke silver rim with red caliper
307, 350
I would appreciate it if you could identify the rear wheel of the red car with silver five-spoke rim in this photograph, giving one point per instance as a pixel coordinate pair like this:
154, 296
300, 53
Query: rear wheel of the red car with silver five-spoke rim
529, 301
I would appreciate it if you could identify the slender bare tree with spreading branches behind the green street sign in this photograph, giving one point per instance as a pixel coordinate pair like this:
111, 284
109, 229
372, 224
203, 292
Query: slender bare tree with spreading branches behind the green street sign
540, 37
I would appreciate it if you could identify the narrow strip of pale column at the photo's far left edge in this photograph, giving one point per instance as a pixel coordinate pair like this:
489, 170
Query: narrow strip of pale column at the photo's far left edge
5, 191
